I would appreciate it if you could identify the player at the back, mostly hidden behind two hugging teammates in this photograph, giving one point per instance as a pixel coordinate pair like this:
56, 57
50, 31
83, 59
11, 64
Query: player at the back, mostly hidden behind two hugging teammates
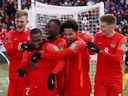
55, 37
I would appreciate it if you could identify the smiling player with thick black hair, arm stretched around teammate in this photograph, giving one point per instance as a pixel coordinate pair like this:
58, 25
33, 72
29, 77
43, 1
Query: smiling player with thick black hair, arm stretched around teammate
77, 81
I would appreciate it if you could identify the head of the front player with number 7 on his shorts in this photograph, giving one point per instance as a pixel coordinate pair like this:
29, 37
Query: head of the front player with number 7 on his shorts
36, 37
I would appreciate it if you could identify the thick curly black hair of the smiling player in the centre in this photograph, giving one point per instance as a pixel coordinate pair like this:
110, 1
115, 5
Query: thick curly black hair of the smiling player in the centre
69, 24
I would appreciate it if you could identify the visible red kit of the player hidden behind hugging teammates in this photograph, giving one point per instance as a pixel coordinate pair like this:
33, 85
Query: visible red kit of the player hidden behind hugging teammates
61, 44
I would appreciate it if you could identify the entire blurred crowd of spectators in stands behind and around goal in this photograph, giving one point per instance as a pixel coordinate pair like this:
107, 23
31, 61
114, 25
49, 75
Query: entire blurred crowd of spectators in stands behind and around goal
118, 7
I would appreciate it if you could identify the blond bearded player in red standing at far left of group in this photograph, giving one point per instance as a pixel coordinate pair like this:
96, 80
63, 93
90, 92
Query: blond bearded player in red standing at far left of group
20, 34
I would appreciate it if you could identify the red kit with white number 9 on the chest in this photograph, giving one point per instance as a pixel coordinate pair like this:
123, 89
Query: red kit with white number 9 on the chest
108, 80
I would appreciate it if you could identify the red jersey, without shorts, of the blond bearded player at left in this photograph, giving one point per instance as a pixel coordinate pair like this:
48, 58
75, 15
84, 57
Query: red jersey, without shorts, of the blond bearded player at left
14, 38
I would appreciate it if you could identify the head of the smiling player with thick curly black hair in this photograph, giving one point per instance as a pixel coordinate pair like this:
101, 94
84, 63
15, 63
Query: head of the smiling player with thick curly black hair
69, 29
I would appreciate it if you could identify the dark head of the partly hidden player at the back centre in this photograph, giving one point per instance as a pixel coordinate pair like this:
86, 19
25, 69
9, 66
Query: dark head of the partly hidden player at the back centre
53, 28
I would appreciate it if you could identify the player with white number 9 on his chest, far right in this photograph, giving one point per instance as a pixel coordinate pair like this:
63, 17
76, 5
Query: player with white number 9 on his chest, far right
109, 46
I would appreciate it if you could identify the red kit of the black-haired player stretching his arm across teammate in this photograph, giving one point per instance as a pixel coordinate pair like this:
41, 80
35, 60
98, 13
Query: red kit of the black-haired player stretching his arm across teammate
77, 81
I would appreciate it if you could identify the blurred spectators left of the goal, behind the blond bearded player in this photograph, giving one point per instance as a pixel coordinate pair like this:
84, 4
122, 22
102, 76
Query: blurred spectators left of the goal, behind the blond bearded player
8, 10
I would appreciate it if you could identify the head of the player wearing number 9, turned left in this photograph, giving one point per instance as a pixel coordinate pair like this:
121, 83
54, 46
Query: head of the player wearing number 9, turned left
108, 23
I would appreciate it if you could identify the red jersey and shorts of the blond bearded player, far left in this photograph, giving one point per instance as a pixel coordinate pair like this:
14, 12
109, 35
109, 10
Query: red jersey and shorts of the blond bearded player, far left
16, 84
